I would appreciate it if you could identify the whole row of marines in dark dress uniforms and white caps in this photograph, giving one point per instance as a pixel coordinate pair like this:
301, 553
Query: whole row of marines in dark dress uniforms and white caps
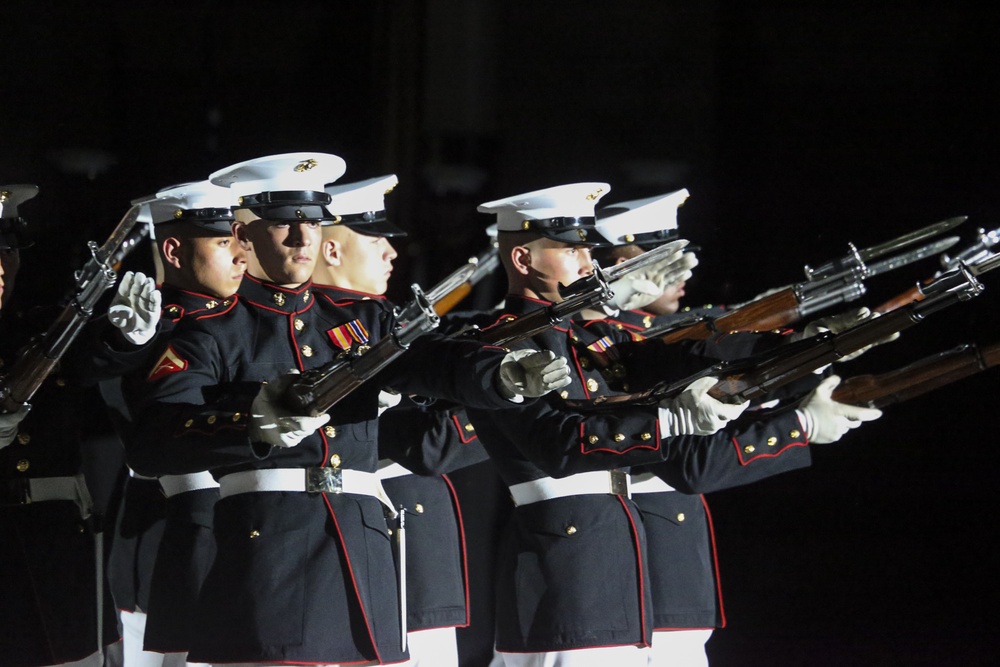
251, 534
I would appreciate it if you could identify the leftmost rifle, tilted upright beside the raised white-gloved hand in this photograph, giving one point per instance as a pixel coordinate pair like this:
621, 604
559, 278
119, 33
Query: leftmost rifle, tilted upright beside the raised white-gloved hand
39, 359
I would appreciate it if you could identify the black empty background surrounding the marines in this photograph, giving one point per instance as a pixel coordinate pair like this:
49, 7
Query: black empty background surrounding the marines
798, 127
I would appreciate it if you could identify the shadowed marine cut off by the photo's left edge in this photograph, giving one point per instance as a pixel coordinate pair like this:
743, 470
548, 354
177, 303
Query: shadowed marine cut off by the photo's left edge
56, 607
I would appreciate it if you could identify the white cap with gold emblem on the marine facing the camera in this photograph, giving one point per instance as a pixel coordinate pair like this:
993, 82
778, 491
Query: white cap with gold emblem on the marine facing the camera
283, 187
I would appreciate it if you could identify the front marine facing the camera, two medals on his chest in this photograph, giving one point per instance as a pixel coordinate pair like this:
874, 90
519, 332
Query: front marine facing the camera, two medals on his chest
299, 575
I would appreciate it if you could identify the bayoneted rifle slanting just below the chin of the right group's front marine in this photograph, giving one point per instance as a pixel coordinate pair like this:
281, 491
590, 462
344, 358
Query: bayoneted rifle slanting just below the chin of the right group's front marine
587, 292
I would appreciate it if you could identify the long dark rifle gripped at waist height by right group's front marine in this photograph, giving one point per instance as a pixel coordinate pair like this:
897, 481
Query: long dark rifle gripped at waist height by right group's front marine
754, 377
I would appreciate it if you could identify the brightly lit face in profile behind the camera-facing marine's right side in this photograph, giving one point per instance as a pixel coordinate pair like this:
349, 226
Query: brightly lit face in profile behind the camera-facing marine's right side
365, 262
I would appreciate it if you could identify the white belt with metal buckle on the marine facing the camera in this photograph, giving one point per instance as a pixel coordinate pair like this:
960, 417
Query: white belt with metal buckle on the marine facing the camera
306, 480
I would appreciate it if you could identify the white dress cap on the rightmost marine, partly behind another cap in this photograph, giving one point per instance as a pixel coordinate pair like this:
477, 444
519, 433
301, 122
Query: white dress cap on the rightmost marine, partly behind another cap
642, 221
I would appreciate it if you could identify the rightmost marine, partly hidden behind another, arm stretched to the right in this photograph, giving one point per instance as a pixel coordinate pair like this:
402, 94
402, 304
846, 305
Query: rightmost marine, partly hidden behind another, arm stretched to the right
687, 598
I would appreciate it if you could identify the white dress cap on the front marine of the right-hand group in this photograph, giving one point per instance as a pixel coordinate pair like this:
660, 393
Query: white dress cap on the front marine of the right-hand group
564, 212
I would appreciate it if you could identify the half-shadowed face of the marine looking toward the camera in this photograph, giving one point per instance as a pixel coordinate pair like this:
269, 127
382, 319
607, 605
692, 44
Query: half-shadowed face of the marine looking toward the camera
282, 252
